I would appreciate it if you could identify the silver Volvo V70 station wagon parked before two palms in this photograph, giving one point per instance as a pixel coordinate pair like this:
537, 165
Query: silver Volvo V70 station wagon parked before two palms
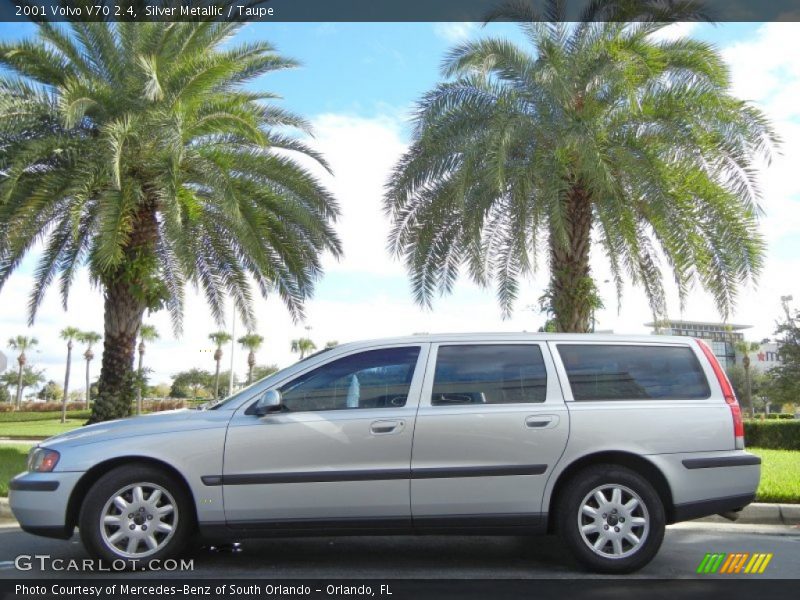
604, 439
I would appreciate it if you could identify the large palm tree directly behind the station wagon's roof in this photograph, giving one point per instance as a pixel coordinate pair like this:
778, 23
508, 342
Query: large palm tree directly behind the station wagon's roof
598, 132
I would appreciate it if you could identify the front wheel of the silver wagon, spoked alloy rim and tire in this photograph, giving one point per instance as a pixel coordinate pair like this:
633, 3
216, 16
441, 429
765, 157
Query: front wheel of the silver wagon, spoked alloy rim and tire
135, 513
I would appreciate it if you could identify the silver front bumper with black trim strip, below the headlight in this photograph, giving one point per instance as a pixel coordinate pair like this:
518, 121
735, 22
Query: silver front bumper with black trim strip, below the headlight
39, 502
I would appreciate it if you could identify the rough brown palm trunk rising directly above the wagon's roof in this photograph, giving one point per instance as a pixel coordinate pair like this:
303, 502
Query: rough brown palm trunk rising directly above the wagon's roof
571, 285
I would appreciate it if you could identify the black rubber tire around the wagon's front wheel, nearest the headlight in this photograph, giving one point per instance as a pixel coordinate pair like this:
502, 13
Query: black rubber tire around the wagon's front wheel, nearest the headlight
95, 506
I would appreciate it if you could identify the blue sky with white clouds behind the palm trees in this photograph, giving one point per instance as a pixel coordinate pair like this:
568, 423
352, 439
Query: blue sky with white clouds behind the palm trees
358, 84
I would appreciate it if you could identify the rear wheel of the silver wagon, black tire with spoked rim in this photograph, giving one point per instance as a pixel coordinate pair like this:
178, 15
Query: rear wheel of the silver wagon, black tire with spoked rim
616, 553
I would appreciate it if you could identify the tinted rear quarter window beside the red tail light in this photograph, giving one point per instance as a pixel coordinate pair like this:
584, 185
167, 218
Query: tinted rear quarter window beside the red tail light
633, 372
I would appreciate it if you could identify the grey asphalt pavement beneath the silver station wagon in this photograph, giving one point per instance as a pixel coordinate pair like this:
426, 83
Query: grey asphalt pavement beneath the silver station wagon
427, 557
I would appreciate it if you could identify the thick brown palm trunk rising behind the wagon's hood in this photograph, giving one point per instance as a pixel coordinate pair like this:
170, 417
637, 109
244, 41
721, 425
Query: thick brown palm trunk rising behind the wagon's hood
123, 314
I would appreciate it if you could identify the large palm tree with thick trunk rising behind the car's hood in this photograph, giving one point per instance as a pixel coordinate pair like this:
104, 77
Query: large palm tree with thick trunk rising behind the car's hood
140, 151
